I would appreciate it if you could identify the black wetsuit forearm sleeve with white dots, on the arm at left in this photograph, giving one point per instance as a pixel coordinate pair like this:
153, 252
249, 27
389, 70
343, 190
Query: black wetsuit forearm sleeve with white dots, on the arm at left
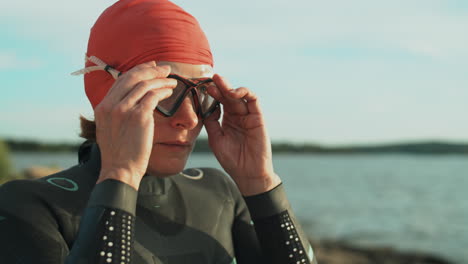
107, 228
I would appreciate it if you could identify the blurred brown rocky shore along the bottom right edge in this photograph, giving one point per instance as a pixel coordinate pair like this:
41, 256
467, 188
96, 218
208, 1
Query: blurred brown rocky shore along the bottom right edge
337, 252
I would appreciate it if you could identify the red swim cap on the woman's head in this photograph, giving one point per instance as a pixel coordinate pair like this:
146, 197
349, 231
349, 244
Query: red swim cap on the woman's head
131, 32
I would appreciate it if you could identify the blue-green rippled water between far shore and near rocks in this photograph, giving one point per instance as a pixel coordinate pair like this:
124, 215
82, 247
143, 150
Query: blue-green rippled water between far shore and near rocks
409, 202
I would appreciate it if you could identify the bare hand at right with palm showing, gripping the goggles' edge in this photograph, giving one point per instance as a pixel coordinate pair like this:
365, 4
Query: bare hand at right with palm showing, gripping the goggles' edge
241, 142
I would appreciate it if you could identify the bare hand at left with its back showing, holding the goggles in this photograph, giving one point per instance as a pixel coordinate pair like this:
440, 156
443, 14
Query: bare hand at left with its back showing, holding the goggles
125, 124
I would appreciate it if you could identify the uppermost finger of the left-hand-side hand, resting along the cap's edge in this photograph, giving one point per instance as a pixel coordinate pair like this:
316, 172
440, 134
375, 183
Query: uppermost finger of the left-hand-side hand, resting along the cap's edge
128, 80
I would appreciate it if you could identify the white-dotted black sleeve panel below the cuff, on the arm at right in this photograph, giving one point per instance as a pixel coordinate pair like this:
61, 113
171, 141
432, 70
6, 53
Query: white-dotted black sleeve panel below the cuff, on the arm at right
280, 239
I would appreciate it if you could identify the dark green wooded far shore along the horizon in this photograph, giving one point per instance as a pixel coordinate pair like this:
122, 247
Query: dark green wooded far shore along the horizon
428, 147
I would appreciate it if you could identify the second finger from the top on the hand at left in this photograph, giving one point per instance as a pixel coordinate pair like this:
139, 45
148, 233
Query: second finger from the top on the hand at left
143, 87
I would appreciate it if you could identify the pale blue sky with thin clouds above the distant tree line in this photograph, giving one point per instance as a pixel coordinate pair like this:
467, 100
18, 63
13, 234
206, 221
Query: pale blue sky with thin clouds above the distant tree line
327, 72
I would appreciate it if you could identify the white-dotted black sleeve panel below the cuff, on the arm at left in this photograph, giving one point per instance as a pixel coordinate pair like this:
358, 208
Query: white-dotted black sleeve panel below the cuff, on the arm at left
116, 241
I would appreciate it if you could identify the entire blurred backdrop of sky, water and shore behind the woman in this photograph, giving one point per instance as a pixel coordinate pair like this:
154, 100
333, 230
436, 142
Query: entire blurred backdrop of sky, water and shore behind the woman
365, 103
